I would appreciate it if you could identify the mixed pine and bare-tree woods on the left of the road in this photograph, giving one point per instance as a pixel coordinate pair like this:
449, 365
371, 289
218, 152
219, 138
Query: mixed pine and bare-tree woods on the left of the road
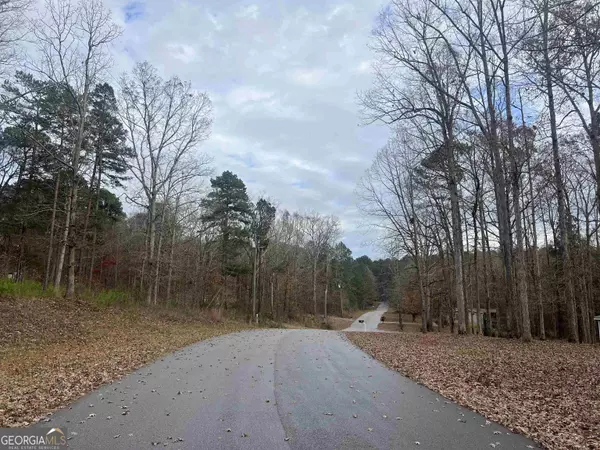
77, 152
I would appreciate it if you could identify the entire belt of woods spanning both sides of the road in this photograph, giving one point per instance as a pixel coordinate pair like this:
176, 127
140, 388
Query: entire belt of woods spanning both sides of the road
486, 193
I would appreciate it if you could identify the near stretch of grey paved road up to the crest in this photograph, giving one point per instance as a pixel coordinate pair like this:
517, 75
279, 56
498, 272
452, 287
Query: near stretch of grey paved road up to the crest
274, 389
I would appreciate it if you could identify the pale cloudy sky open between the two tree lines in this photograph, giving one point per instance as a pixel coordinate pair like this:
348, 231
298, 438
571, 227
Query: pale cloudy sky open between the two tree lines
283, 76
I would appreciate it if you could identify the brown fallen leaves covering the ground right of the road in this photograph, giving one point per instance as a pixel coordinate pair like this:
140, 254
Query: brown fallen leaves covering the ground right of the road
549, 391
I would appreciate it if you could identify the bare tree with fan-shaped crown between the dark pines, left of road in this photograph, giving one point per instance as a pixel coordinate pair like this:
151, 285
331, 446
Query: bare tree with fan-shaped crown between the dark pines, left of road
165, 121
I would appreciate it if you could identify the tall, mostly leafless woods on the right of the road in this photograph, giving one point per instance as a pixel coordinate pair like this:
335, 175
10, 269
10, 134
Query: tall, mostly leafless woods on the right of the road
489, 181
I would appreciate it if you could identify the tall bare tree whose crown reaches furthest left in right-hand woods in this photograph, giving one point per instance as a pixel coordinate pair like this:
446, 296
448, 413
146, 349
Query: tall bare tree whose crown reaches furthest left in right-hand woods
418, 80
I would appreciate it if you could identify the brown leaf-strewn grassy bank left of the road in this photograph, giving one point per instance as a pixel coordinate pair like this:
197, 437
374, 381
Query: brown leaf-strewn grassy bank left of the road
53, 351
